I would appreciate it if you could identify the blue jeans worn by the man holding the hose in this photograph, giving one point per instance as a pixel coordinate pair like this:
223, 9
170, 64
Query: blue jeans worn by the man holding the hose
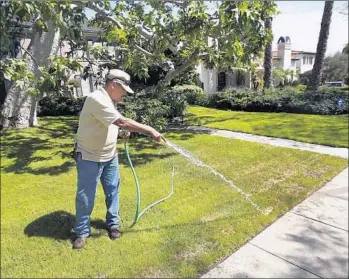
89, 174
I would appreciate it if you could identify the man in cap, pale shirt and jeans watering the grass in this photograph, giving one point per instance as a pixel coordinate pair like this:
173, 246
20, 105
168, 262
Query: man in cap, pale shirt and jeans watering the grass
96, 155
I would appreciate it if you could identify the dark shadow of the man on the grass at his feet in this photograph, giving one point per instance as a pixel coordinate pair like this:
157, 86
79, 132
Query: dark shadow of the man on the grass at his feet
58, 225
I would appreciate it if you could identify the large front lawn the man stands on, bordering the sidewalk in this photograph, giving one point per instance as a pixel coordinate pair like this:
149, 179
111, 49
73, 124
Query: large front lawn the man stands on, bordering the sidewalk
203, 222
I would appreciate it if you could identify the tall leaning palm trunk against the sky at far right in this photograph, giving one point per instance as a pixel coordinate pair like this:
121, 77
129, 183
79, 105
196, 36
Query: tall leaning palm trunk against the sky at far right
321, 46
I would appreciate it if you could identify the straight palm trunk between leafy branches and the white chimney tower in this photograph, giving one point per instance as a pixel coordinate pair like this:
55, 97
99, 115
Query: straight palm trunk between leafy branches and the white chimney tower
268, 57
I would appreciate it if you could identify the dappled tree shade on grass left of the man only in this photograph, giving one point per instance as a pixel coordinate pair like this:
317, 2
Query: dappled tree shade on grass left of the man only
21, 145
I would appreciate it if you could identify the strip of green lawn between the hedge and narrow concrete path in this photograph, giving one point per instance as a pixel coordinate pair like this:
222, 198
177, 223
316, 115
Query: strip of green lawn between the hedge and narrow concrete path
329, 130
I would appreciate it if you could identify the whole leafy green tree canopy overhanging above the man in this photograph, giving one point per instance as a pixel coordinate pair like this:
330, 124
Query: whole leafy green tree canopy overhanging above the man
172, 34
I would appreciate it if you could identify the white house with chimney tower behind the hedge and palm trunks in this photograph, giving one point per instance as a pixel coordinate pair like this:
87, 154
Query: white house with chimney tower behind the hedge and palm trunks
213, 80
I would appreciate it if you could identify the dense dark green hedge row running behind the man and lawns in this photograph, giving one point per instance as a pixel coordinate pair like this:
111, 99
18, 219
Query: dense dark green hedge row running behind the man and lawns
171, 105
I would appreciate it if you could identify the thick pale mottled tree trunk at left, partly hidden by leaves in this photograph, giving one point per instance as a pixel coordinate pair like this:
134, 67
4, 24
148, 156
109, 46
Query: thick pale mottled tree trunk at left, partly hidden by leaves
20, 109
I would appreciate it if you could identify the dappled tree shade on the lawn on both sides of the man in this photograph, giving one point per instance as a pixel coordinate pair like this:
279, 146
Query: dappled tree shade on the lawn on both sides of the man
23, 145
